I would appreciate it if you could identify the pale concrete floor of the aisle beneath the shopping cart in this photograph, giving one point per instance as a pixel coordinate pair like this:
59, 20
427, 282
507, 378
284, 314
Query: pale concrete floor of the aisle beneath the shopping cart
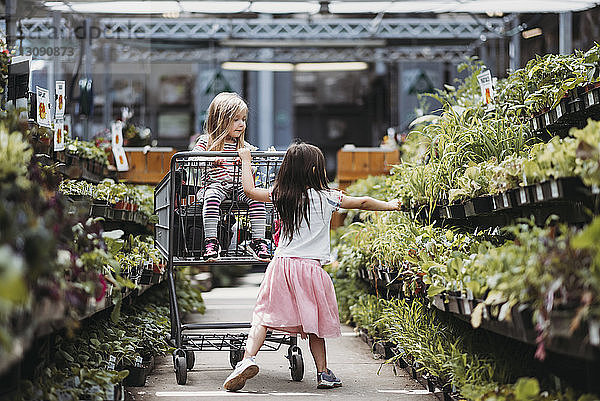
349, 357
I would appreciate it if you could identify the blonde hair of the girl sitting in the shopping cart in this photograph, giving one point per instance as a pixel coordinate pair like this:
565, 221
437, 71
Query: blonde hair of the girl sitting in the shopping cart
221, 112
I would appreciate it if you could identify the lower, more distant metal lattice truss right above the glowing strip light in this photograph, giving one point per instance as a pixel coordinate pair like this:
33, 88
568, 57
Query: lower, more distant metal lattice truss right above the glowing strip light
453, 54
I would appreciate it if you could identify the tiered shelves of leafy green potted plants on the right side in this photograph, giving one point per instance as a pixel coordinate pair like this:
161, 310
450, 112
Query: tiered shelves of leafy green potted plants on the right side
512, 249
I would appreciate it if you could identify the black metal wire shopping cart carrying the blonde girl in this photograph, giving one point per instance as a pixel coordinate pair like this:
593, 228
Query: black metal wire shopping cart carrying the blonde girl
179, 236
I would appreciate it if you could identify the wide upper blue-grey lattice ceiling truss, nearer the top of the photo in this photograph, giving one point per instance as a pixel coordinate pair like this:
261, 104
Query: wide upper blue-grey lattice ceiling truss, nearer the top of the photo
280, 29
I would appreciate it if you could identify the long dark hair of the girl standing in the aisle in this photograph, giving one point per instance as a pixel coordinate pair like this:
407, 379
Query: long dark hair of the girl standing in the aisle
302, 168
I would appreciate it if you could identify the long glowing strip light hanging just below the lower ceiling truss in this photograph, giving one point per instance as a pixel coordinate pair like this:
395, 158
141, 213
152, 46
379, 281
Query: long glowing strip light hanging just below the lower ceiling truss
300, 67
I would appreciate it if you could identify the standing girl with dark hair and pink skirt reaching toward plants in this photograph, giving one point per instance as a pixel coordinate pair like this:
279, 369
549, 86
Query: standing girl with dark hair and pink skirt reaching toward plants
297, 295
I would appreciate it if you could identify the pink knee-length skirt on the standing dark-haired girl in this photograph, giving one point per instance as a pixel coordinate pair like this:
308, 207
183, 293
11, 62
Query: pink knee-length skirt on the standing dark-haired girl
297, 296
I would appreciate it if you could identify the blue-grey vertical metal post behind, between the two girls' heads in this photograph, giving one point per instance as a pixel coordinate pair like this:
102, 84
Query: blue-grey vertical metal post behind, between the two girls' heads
266, 108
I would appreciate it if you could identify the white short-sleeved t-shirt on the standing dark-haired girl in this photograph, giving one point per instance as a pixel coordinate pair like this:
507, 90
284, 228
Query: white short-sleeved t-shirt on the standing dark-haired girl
313, 242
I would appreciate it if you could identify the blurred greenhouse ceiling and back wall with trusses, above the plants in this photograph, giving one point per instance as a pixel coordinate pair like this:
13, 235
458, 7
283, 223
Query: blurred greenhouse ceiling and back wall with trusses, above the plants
328, 72
